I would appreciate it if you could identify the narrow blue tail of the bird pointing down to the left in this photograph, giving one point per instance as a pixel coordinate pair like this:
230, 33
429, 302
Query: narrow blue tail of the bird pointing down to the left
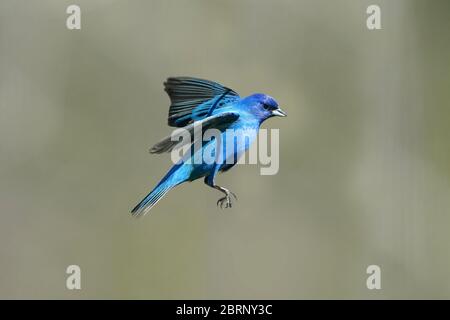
167, 183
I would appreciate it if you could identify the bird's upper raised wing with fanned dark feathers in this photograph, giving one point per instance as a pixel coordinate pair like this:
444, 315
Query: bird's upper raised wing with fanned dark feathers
193, 99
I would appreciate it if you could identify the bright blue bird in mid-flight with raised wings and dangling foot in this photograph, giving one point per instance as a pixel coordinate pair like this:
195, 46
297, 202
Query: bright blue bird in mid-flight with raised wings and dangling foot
208, 105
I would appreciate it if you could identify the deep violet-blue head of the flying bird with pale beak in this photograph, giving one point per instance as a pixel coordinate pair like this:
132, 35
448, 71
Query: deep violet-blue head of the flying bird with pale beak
263, 106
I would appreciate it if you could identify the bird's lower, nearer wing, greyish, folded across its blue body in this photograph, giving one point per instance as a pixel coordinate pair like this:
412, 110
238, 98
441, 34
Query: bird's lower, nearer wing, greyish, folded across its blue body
219, 121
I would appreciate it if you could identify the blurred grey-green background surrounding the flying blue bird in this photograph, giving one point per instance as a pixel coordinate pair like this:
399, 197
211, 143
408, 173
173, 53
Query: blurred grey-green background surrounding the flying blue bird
364, 155
